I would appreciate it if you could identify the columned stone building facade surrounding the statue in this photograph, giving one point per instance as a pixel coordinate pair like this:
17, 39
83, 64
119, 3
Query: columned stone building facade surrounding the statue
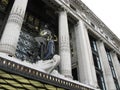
89, 51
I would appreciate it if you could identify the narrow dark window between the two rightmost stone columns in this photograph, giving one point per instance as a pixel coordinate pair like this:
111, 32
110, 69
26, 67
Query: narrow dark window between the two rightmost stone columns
112, 69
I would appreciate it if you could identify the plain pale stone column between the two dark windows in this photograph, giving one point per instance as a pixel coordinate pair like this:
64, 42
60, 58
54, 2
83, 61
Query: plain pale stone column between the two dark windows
109, 82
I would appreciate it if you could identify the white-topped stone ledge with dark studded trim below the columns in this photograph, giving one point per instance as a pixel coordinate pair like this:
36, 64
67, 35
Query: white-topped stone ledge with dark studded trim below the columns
12, 65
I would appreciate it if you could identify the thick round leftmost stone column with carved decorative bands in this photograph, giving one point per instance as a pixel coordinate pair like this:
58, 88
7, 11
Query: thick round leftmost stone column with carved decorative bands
13, 26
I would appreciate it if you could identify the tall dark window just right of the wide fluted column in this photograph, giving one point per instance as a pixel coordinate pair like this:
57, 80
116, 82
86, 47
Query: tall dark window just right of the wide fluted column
98, 68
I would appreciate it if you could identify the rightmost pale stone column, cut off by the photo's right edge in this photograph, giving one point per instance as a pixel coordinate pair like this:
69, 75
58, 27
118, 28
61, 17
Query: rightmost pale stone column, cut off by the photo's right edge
116, 65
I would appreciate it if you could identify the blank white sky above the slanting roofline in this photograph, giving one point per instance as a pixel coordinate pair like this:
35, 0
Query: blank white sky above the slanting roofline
108, 11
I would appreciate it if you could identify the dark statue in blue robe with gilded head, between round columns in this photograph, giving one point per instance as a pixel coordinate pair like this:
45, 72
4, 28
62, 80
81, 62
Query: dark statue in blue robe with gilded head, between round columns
46, 44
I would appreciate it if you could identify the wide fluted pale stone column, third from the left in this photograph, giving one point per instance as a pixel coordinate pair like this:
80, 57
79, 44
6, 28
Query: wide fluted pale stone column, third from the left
86, 66
